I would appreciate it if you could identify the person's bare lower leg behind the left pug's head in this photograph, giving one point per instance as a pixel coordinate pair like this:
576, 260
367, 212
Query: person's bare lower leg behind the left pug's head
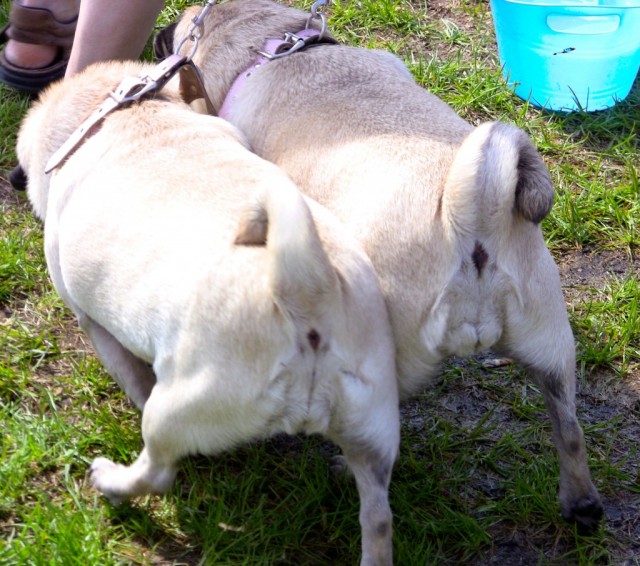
117, 29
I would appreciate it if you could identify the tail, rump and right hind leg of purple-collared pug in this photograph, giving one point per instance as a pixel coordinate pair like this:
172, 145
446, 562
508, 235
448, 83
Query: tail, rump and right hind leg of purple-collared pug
504, 291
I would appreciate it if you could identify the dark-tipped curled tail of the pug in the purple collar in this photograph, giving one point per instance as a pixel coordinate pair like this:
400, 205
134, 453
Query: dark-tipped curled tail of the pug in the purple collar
497, 175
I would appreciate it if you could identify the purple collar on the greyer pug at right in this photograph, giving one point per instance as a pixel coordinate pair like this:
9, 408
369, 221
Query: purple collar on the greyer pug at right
273, 49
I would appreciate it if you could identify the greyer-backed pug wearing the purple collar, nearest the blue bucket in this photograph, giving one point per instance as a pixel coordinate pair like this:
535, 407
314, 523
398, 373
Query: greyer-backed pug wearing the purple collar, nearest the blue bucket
448, 213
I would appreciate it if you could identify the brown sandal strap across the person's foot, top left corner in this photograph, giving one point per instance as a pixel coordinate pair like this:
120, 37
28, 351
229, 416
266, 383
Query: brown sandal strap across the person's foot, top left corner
39, 26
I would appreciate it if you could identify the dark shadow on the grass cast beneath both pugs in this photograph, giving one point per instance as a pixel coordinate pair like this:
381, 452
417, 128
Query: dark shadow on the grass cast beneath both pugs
476, 483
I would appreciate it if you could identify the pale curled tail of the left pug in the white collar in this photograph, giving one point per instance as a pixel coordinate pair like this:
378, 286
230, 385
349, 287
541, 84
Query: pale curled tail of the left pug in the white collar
303, 280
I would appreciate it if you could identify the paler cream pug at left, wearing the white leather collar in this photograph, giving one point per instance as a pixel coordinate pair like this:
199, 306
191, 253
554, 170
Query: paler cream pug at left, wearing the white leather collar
227, 306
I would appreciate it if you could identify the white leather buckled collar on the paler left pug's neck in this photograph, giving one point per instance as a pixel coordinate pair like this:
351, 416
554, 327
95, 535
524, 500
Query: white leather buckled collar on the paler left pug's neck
131, 89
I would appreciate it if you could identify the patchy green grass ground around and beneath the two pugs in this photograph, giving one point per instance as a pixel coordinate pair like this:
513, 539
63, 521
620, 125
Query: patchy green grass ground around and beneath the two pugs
477, 479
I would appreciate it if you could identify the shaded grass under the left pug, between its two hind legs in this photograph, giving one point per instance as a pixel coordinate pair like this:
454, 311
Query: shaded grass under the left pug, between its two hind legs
239, 508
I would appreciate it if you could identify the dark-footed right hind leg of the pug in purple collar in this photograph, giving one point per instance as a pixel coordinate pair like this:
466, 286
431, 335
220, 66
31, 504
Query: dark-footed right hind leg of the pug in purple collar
543, 342
